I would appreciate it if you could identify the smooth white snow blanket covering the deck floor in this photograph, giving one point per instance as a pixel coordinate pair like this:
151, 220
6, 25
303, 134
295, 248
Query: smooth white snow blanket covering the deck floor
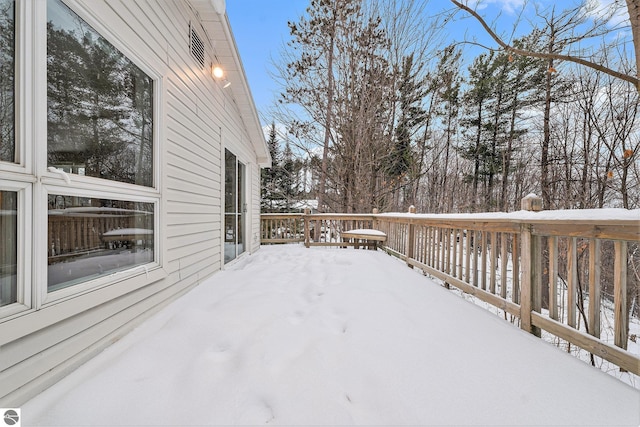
330, 336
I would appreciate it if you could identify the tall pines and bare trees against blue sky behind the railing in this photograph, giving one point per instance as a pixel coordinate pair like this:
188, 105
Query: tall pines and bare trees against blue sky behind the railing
381, 110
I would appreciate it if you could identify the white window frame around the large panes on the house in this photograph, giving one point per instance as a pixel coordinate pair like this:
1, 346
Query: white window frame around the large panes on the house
29, 175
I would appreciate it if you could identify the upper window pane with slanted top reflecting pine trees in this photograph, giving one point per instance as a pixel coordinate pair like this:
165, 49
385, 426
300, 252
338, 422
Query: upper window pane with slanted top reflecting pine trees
99, 104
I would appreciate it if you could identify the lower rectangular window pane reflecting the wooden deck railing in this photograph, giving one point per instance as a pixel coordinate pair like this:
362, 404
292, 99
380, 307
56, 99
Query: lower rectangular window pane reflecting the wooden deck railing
89, 238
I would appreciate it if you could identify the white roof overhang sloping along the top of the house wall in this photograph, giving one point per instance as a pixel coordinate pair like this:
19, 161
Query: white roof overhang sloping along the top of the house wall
213, 17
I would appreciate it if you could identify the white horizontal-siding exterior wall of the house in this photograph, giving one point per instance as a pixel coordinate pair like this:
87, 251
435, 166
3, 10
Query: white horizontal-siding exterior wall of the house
42, 339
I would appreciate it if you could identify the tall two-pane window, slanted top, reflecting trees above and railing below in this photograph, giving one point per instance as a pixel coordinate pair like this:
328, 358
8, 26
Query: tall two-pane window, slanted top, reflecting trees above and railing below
100, 125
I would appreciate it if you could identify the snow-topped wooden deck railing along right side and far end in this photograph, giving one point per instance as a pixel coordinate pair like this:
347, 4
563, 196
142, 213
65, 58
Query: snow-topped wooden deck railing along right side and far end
552, 275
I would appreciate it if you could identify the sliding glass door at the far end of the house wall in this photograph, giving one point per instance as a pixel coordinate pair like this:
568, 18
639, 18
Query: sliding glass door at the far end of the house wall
235, 207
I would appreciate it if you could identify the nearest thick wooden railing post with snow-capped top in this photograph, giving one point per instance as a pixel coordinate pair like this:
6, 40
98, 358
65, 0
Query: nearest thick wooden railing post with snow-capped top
531, 285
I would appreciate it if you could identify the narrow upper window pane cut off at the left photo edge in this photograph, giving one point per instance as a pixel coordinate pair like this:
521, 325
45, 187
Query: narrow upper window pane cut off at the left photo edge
7, 81
